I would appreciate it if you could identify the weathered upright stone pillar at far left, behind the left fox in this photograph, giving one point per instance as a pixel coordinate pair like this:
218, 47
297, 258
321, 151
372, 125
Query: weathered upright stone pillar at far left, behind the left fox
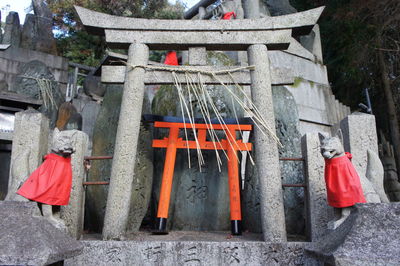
30, 139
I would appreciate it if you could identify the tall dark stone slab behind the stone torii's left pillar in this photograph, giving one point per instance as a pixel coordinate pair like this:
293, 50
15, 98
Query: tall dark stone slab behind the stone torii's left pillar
105, 130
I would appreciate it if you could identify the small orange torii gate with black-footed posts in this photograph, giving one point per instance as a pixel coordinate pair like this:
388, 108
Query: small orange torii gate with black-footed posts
173, 142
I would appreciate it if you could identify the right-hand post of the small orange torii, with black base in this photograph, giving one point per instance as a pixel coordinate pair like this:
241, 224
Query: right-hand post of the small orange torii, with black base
233, 181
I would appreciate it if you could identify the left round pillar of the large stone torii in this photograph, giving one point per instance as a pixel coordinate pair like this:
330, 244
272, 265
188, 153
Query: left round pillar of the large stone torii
122, 173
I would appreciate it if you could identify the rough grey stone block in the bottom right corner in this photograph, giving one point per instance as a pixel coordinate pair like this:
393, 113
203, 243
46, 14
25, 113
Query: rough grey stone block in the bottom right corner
368, 237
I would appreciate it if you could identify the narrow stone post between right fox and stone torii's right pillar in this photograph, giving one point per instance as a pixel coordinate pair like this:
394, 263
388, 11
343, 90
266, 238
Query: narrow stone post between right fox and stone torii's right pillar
319, 212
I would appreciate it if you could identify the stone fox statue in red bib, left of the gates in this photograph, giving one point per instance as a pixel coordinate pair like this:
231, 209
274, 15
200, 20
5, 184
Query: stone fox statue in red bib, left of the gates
50, 184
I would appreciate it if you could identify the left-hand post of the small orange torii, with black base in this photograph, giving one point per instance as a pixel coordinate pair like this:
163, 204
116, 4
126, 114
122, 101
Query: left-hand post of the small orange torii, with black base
166, 183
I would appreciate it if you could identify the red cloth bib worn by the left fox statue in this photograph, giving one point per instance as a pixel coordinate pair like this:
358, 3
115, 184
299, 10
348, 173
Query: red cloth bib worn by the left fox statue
51, 182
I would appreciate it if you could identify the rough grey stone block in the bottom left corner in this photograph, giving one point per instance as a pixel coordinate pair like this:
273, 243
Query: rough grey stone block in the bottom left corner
29, 239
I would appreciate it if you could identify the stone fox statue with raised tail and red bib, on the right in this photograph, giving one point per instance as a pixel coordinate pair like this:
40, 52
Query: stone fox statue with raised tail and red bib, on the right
372, 184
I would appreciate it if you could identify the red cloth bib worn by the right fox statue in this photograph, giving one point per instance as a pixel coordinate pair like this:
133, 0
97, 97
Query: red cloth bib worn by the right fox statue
343, 186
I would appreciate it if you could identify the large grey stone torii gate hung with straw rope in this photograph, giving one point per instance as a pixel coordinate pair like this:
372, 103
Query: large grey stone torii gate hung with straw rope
256, 36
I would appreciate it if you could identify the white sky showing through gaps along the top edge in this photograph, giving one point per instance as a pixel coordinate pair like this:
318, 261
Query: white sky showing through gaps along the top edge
21, 5
